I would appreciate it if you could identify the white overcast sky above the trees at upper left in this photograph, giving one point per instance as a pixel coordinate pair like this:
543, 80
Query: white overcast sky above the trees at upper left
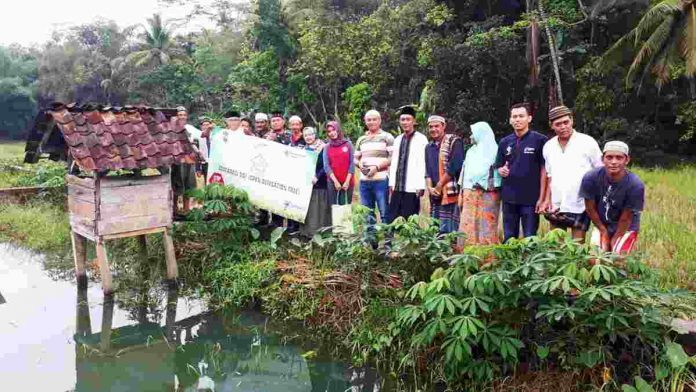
30, 22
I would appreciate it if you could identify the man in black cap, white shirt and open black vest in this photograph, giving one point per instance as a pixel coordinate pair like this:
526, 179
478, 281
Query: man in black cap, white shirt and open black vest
407, 171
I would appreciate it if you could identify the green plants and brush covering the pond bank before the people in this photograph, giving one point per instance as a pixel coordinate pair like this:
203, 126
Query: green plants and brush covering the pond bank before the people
429, 317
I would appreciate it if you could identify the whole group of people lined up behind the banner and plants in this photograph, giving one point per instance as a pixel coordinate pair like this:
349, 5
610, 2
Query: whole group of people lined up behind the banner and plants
470, 183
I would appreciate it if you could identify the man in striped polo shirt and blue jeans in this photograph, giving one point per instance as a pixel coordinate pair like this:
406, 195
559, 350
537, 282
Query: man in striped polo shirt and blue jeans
373, 157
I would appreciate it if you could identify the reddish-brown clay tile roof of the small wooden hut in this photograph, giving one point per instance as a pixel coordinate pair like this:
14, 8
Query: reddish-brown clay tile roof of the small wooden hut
112, 138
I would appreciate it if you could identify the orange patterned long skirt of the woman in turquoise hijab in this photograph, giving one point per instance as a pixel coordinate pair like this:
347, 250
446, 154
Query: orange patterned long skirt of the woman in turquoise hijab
479, 219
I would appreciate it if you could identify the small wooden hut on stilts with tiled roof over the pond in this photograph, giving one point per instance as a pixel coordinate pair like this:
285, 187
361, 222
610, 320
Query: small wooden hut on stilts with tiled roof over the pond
118, 182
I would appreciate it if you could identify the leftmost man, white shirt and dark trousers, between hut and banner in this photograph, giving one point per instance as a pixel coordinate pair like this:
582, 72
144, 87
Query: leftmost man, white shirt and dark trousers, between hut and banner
184, 174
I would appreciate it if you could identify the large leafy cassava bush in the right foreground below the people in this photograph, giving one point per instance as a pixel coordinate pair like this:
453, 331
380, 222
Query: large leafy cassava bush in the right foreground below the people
541, 300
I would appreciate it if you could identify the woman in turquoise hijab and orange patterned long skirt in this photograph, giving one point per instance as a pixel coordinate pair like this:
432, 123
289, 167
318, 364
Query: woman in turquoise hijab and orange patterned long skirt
480, 182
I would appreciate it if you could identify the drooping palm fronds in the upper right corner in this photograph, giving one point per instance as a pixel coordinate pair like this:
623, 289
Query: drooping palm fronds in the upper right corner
664, 37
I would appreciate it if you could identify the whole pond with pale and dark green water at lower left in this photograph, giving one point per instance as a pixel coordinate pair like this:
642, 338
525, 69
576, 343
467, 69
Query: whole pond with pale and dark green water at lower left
54, 337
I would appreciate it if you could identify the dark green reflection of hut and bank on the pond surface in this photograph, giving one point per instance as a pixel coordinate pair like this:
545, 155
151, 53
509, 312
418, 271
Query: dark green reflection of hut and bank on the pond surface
208, 351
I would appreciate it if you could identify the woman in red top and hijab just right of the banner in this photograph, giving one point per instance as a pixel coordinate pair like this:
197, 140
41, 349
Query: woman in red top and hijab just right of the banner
338, 165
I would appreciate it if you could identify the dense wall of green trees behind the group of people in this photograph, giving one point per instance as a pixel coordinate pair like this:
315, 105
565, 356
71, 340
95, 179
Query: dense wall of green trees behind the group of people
626, 66
